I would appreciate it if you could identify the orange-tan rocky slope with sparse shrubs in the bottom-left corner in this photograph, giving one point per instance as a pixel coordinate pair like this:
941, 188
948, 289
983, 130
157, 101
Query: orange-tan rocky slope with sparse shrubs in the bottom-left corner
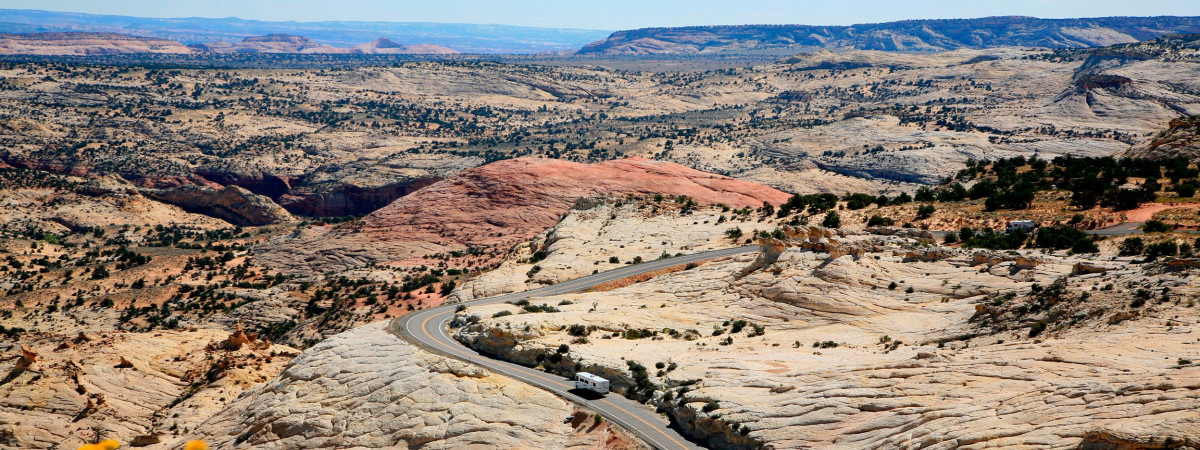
59, 391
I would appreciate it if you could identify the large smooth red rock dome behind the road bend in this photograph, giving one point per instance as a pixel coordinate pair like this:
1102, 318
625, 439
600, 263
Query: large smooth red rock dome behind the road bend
494, 208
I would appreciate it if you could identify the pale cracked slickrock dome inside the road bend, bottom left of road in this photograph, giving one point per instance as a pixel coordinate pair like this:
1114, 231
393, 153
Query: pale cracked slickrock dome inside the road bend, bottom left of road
369, 389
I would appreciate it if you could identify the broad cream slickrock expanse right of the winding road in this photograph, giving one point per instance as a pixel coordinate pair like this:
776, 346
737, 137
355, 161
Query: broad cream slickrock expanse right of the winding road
867, 340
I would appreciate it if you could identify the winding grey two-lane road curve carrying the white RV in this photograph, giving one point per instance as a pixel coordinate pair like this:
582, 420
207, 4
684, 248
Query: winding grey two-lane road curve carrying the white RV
428, 329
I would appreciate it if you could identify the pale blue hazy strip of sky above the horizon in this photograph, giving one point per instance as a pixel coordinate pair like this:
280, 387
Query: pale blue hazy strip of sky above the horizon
613, 15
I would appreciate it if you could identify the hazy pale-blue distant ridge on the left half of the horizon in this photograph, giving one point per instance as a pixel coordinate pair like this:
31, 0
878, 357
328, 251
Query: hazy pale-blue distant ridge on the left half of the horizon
463, 38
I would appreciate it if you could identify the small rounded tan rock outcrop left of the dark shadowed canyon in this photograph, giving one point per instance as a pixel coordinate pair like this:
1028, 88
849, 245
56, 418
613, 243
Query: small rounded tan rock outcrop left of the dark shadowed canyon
231, 203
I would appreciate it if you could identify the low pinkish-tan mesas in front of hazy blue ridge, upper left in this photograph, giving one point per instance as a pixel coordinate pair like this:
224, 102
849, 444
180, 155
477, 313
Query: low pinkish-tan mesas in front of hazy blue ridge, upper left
106, 44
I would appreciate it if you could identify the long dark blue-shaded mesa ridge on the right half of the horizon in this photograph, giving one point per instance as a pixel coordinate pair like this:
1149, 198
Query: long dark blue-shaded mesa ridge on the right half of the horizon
937, 35
